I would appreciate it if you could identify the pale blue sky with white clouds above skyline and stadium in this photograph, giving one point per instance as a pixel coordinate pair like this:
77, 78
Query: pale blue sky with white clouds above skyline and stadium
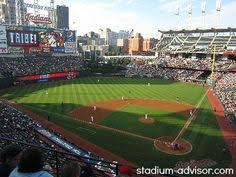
144, 16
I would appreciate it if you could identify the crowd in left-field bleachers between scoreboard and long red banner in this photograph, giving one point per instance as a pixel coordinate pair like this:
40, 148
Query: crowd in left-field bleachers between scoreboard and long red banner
39, 65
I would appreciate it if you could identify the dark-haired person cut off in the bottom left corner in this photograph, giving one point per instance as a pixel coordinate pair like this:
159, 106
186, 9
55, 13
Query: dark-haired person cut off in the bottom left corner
9, 160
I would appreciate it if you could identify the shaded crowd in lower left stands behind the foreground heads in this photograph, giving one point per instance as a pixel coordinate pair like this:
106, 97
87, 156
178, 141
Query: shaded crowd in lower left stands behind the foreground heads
19, 127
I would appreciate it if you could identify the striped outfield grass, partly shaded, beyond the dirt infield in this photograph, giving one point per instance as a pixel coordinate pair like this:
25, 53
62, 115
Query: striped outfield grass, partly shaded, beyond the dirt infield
87, 90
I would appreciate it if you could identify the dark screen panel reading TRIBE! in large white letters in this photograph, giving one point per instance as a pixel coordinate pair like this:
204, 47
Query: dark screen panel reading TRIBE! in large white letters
22, 38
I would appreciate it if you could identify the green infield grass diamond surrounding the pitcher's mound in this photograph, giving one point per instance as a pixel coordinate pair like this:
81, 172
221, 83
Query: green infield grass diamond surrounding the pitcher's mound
127, 119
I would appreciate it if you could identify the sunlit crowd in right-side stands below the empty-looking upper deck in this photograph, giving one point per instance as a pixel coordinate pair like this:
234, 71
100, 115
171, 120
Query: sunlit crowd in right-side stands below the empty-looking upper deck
180, 69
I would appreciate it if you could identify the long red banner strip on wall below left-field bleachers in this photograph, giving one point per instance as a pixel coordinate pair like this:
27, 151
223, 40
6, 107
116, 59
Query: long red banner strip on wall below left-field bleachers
48, 76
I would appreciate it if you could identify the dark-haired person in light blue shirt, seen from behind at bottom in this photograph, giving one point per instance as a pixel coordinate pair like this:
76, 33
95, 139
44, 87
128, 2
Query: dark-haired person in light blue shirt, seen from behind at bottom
30, 165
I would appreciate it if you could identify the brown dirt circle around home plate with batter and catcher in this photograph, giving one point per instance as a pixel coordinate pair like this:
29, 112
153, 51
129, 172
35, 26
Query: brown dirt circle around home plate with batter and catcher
181, 147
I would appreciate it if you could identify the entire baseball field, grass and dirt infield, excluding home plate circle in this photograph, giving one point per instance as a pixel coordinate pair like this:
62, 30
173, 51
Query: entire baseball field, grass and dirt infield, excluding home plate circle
125, 116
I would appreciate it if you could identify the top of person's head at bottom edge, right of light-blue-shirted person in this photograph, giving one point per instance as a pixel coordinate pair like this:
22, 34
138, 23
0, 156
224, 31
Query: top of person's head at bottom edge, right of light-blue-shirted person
72, 169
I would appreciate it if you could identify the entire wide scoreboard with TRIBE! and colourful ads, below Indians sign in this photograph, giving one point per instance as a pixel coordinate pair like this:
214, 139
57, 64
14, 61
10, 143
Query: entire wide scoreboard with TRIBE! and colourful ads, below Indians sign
35, 40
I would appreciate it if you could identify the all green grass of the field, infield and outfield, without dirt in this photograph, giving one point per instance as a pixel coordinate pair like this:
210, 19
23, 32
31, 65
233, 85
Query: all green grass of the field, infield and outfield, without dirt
204, 132
